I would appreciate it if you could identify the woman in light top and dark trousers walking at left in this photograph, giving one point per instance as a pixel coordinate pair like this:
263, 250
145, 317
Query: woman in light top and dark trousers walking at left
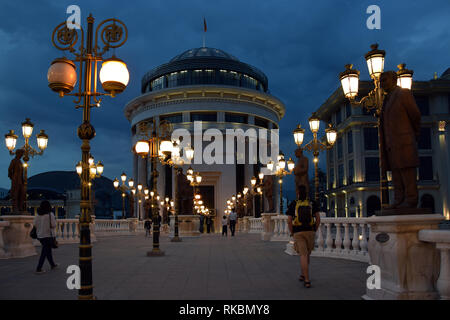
45, 223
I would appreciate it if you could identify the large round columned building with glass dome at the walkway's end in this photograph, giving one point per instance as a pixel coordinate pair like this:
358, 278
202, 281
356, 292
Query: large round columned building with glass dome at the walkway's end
208, 85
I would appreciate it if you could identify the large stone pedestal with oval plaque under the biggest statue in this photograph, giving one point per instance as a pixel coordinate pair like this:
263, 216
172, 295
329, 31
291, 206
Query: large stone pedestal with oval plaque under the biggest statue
409, 267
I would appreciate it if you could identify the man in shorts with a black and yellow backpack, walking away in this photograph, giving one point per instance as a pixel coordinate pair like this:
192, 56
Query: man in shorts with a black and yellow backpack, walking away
303, 221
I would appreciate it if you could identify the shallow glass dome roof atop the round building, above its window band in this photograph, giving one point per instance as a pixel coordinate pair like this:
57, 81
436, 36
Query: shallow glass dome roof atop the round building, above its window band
204, 58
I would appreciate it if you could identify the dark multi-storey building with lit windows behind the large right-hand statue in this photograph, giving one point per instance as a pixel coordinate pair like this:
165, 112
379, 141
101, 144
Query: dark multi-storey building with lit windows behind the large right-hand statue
353, 162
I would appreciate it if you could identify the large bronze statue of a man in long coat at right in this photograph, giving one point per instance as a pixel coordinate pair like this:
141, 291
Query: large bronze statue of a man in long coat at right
399, 131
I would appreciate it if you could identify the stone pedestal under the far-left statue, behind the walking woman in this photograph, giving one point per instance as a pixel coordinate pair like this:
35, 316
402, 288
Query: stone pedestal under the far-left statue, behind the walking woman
16, 236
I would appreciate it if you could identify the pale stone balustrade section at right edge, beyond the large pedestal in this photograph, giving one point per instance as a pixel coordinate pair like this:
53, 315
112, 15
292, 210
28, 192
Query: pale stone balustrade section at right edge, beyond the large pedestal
441, 239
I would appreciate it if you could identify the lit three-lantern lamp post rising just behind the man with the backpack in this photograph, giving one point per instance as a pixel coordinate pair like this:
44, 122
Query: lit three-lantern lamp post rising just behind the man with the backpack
315, 145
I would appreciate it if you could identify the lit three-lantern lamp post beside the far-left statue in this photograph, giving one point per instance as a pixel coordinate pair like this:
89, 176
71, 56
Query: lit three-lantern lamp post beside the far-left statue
28, 150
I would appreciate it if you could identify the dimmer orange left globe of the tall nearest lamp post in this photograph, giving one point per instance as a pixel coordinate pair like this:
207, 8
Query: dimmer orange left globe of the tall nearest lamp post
62, 76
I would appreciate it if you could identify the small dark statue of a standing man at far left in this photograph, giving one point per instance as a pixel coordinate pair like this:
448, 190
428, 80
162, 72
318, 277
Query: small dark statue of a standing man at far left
15, 173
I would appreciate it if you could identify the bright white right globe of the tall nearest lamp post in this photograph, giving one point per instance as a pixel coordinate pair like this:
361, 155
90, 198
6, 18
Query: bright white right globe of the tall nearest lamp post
114, 75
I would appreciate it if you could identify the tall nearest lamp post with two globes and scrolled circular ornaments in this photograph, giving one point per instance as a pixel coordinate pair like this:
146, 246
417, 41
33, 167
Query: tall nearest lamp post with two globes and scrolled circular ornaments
62, 77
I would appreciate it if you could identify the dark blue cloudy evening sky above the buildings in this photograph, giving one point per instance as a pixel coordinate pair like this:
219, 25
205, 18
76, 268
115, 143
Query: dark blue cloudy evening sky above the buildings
300, 45
